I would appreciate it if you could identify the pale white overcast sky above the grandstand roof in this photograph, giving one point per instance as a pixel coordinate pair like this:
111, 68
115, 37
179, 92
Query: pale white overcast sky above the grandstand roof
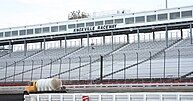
15, 13
